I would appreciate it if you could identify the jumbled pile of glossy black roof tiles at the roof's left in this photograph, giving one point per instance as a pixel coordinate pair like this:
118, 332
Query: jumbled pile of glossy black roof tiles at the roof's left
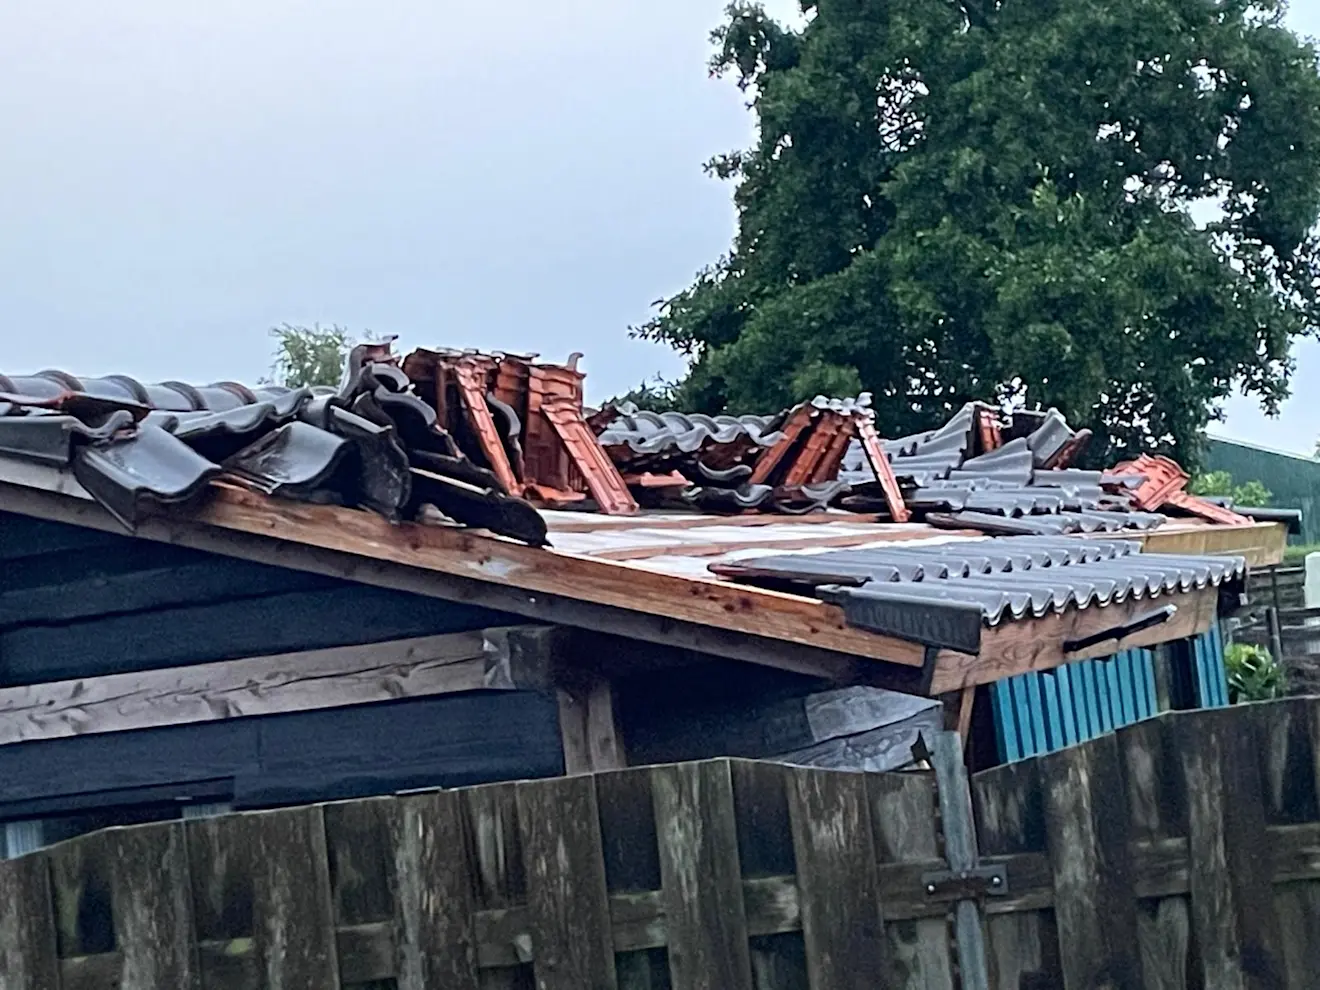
373, 444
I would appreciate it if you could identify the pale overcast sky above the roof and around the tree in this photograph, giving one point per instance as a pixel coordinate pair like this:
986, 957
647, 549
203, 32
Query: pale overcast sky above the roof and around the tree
179, 178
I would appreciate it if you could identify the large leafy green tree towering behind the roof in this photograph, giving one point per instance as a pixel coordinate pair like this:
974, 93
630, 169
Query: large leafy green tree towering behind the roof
956, 200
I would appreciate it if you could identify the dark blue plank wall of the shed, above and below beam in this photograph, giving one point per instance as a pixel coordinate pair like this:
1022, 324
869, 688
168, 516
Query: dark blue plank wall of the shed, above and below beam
81, 604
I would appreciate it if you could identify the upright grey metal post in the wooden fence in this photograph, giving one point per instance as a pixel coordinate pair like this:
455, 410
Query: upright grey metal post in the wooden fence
960, 849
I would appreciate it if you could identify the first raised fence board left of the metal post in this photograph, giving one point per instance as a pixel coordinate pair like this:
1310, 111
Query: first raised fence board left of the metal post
843, 927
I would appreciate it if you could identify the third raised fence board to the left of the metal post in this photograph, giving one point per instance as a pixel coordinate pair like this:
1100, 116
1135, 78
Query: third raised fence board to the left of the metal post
566, 878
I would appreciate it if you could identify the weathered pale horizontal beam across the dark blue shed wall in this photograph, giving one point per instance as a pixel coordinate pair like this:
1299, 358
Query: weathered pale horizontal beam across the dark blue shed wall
304, 682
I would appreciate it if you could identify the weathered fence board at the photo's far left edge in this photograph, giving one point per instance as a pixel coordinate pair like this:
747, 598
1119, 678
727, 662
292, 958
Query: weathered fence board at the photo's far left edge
27, 926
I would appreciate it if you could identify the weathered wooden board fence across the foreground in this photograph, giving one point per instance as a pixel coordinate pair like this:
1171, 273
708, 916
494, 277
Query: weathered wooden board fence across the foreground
1179, 852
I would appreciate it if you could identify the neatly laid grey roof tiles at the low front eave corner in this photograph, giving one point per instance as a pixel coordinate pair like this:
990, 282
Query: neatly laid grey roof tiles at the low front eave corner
943, 595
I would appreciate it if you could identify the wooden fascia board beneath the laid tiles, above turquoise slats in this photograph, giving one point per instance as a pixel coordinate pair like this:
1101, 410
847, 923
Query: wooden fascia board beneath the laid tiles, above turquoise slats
1017, 647
